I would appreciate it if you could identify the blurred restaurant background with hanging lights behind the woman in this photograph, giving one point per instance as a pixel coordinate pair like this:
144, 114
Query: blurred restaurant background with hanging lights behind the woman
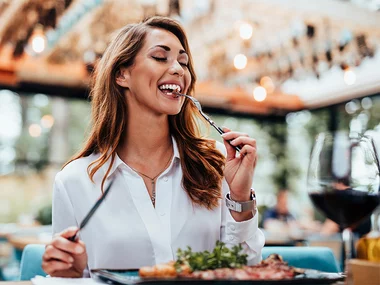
281, 71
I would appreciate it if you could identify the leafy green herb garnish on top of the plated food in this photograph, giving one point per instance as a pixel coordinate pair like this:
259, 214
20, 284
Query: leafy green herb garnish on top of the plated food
220, 257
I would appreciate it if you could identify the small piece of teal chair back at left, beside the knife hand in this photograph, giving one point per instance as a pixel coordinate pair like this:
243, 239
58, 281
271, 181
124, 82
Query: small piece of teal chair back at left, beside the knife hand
31, 261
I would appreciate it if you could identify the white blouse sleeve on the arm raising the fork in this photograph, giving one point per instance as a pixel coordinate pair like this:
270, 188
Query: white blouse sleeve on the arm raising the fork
245, 233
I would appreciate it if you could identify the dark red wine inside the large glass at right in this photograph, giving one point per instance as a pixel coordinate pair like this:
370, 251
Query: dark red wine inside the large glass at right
345, 207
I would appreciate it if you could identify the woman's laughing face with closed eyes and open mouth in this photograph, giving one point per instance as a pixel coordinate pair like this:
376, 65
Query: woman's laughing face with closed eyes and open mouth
161, 64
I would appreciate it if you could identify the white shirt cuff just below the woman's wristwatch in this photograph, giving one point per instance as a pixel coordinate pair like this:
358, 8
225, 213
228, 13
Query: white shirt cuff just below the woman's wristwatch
238, 232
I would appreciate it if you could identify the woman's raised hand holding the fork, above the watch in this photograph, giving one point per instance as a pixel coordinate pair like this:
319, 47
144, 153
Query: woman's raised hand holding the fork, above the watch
239, 168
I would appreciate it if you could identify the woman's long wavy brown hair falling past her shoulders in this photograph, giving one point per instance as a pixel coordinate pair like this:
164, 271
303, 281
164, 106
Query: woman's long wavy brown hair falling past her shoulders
201, 162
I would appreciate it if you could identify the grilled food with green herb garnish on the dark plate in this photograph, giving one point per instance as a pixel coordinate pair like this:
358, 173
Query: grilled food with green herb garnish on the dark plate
221, 263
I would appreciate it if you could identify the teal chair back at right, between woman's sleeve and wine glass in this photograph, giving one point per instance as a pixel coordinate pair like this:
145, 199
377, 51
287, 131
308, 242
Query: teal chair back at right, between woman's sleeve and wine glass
318, 258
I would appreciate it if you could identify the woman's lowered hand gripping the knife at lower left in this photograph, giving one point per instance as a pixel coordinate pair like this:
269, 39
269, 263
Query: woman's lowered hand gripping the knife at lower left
64, 258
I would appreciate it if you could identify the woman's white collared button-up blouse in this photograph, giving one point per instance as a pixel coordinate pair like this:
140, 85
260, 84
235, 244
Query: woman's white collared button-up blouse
128, 232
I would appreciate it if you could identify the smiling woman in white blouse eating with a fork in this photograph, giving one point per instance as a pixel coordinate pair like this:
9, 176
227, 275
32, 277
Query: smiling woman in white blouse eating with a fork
168, 183
